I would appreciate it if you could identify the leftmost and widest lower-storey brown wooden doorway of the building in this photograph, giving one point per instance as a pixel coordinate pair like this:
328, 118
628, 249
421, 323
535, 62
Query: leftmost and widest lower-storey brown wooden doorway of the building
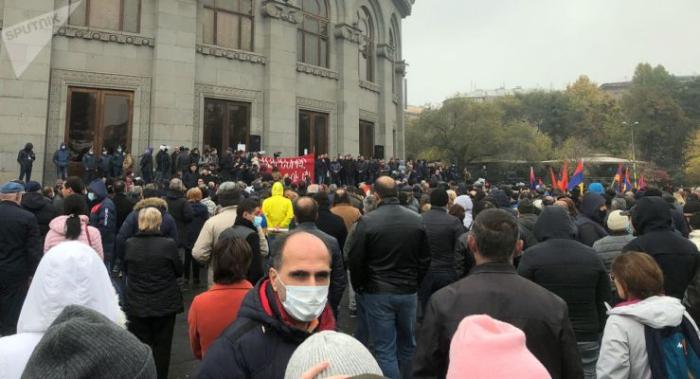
98, 119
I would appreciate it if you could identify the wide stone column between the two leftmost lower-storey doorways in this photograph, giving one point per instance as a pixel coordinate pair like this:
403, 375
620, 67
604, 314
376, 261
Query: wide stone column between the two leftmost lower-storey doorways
172, 99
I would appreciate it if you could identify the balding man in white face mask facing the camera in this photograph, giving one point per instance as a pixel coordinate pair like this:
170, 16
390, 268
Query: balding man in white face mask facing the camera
278, 314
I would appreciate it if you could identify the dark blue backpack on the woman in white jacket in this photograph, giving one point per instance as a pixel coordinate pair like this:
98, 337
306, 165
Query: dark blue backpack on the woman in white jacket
673, 351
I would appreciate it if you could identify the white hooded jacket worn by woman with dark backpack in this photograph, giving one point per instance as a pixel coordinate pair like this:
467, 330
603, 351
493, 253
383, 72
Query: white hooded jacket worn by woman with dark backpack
623, 352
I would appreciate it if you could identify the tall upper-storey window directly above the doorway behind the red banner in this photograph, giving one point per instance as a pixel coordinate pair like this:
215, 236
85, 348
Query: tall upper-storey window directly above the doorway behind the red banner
312, 35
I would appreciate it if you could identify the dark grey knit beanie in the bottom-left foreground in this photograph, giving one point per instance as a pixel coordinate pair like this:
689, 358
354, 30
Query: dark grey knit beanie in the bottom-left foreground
82, 343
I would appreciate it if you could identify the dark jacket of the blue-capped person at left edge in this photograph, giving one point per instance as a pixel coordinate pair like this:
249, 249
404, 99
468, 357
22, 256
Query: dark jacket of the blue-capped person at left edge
21, 246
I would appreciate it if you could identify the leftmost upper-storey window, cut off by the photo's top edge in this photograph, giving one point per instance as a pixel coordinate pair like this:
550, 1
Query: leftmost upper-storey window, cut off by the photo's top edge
122, 15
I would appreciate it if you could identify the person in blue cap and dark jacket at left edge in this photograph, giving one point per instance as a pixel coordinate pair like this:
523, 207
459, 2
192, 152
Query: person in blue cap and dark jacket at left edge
19, 256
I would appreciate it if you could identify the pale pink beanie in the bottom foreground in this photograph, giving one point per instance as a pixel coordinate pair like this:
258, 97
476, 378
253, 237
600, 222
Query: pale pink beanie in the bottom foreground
485, 348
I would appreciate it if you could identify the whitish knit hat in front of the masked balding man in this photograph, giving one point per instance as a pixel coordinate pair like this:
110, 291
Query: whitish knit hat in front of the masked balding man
346, 356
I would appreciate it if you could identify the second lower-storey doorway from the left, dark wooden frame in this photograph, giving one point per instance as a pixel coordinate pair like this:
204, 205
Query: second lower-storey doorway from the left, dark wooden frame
226, 124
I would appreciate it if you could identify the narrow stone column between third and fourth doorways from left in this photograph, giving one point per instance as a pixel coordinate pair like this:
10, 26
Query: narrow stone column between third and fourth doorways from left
347, 45
